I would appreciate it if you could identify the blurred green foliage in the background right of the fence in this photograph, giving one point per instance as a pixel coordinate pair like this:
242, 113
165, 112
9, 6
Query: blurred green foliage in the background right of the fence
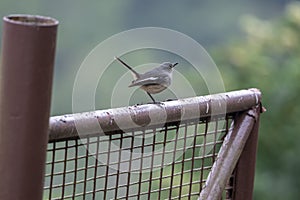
268, 58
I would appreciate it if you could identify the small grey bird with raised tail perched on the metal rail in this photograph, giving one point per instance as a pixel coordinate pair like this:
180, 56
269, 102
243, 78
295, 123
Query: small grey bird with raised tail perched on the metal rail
153, 81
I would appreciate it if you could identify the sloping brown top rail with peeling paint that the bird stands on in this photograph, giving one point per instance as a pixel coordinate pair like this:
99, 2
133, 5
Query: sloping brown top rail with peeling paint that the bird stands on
134, 117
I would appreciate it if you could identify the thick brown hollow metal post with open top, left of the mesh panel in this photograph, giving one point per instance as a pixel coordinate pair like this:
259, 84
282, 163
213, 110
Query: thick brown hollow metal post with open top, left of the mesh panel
28, 49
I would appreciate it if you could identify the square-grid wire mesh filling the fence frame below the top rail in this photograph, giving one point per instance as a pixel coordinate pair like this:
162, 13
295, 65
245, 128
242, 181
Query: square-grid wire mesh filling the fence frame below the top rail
170, 162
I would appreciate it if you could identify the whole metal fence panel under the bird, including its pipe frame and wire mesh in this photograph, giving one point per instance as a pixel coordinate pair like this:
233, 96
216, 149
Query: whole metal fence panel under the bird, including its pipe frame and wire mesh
171, 159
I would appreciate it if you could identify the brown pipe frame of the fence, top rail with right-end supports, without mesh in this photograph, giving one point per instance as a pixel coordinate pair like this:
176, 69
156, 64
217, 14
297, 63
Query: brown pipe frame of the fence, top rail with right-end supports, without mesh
238, 153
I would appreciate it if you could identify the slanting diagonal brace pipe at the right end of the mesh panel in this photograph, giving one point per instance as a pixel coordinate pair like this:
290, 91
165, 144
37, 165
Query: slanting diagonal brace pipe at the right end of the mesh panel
229, 155
